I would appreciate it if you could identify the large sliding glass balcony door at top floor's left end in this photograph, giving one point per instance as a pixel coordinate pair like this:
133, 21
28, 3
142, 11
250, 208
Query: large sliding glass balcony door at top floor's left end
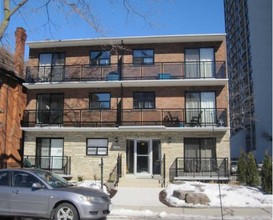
51, 66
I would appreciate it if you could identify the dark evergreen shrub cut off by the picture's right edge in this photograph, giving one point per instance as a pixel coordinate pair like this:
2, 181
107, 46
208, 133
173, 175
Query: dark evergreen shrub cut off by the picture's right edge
266, 174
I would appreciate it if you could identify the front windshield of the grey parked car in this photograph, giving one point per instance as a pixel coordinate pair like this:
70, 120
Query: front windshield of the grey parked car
52, 179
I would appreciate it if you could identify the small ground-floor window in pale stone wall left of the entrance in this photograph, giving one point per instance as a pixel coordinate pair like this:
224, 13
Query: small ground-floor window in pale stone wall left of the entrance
98, 147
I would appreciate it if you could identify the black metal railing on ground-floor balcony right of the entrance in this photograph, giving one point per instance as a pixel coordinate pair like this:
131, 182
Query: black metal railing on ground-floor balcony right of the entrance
199, 168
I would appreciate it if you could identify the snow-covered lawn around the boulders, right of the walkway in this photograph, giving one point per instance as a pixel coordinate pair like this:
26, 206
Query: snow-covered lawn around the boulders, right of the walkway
231, 195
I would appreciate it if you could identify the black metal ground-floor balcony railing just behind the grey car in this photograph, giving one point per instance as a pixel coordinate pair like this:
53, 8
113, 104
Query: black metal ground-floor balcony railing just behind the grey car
57, 164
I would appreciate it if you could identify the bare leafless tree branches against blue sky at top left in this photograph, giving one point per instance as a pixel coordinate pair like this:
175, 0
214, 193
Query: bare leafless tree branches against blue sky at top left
81, 8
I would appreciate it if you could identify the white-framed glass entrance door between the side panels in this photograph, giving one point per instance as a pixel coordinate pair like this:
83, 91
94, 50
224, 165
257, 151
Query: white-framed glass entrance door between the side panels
143, 156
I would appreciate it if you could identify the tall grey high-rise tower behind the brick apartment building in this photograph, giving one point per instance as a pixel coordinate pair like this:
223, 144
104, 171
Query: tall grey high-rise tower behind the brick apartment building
249, 49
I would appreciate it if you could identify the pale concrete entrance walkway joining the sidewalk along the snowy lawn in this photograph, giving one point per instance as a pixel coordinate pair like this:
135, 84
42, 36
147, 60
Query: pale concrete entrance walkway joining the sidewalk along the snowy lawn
146, 199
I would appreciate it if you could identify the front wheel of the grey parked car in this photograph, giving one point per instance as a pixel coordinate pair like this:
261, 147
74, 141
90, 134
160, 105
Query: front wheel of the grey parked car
66, 211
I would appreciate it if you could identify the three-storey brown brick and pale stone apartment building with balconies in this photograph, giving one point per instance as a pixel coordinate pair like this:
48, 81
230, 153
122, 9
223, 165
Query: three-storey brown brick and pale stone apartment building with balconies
151, 107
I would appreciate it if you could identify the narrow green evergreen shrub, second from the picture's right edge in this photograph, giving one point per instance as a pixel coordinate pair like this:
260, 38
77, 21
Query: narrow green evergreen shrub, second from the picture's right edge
252, 174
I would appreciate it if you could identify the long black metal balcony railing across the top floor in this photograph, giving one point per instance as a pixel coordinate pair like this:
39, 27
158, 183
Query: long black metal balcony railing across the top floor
156, 71
